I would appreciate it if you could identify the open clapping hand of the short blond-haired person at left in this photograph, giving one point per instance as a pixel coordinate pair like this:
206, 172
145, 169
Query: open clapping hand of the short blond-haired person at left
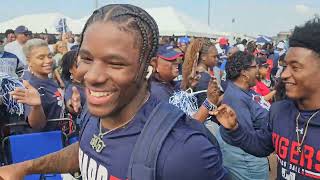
29, 95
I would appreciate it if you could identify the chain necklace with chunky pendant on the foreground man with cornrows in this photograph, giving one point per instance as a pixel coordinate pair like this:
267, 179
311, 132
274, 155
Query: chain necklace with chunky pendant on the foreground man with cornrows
97, 143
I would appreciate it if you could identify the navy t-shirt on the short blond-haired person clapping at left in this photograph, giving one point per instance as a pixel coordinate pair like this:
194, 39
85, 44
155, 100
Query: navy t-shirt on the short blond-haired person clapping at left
51, 99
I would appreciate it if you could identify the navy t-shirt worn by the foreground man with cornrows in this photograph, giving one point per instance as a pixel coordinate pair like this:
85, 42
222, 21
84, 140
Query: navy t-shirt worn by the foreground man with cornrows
186, 154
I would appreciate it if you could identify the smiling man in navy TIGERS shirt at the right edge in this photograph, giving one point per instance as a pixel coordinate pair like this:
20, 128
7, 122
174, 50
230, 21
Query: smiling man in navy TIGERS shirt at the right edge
294, 124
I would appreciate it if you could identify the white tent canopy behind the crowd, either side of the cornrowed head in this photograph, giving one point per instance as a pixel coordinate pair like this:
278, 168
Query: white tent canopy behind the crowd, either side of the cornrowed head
168, 19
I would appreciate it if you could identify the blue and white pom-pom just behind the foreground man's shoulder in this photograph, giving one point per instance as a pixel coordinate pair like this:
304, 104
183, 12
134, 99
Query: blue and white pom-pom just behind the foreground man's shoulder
186, 101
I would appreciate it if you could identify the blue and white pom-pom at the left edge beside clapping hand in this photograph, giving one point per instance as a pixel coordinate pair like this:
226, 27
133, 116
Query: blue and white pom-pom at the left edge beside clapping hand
8, 84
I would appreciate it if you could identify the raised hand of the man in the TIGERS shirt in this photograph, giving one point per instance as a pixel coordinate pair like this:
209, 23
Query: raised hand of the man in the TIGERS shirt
226, 116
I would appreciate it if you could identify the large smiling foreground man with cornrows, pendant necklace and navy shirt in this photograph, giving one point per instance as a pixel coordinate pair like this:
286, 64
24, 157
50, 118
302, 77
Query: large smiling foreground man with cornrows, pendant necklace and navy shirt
118, 44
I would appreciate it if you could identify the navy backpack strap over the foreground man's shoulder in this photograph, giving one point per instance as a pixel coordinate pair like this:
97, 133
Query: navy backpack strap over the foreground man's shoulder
146, 151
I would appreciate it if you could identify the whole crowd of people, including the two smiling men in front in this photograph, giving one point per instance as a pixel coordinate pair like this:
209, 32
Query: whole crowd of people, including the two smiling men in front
241, 102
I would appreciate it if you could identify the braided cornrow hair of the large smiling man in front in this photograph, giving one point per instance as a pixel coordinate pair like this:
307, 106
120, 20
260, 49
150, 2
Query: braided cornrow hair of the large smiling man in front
131, 19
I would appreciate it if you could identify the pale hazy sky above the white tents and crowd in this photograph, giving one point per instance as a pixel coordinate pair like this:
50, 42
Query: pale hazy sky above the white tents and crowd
252, 17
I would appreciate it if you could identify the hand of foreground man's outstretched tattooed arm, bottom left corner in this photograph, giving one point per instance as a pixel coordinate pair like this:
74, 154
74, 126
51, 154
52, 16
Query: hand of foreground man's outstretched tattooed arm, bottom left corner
11, 172
